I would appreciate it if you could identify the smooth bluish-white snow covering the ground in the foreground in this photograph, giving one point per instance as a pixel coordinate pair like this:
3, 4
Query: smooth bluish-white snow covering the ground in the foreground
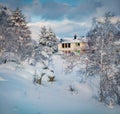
18, 94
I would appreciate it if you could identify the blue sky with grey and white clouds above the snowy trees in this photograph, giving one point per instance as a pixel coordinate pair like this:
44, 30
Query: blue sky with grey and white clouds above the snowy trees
65, 17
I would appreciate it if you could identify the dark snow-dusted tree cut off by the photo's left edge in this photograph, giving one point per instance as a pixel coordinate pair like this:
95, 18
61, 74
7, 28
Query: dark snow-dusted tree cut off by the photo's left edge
8, 44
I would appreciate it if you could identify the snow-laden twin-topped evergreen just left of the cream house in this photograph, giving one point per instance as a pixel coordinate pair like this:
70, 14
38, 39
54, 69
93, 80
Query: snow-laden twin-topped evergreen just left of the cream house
46, 46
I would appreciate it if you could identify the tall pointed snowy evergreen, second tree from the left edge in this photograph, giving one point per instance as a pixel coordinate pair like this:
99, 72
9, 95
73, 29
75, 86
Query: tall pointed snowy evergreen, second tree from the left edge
22, 33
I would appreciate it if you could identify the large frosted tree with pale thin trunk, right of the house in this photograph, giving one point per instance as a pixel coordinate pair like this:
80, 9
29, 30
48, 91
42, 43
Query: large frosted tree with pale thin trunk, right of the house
103, 57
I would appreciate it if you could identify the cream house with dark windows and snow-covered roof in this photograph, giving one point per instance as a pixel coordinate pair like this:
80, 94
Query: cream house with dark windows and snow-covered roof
73, 45
